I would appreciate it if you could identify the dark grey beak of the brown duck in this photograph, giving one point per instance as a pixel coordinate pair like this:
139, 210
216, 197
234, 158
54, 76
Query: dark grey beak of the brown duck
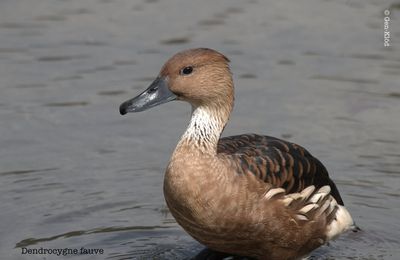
156, 94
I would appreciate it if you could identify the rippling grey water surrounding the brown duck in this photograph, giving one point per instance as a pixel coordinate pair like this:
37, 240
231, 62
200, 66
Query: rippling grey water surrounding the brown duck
74, 173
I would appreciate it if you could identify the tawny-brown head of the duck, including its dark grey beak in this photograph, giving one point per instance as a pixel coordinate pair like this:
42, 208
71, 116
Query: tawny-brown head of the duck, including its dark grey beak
198, 76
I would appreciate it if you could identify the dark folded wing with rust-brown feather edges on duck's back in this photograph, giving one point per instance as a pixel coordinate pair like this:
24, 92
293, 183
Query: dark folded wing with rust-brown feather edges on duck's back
278, 162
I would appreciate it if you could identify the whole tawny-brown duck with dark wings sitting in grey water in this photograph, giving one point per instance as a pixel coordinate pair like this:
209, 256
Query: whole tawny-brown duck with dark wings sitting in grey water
246, 195
